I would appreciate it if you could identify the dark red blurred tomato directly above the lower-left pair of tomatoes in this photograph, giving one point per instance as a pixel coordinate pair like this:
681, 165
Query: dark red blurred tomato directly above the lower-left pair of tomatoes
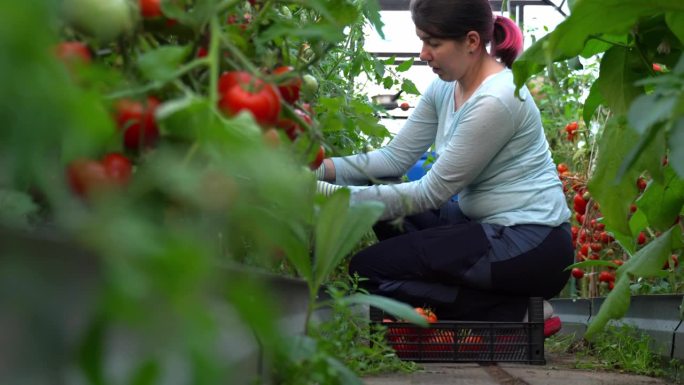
138, 122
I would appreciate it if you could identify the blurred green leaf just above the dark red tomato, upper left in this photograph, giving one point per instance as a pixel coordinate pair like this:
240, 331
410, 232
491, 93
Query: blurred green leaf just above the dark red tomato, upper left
162, 63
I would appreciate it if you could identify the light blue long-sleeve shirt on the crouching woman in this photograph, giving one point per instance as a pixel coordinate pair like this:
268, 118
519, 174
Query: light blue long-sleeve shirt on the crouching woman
492, 152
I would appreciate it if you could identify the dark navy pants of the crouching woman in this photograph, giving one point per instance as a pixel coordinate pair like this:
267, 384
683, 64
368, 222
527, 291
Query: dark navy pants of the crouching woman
424, 263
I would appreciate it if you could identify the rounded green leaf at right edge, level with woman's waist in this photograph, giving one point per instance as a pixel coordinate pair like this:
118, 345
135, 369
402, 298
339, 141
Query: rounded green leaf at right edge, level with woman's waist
661, 203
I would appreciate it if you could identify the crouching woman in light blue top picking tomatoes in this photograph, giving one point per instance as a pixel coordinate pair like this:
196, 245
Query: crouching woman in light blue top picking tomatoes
508, 237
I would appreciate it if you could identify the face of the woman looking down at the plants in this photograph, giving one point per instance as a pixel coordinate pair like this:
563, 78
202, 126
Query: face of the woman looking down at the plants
448, 58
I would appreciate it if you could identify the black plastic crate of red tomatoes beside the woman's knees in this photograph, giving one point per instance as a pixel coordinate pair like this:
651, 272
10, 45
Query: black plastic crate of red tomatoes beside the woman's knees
469, 341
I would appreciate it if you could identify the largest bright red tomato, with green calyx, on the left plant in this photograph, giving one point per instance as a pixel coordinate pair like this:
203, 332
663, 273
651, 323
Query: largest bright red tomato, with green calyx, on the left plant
259, 98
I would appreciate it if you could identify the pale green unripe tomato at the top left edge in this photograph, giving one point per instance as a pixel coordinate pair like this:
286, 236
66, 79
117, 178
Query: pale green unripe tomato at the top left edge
104, 20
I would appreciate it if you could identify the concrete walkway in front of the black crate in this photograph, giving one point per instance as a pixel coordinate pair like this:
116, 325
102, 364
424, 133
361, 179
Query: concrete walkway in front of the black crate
557, 371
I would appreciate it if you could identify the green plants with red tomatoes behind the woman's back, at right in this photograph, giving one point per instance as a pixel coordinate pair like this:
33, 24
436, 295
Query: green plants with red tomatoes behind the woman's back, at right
618, 141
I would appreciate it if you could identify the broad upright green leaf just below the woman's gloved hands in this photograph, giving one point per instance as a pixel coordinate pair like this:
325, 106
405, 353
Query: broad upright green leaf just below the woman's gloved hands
338, 229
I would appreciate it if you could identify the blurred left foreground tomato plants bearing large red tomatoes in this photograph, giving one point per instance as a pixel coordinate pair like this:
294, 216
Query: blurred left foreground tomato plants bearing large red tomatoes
165, 175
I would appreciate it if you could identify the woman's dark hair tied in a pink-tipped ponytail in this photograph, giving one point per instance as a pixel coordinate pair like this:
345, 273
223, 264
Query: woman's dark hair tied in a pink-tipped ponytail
453, 19
